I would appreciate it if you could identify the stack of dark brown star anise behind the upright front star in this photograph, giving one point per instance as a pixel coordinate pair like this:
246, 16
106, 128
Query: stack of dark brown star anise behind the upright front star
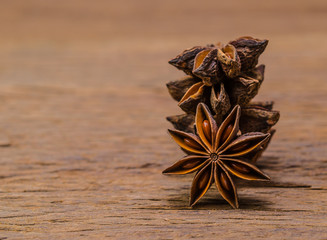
223, 76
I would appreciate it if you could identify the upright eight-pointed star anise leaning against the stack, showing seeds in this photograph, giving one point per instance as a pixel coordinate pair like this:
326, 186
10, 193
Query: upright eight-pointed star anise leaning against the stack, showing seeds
216, 152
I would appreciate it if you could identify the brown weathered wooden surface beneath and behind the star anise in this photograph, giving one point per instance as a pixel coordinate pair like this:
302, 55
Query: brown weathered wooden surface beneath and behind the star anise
83, 105
